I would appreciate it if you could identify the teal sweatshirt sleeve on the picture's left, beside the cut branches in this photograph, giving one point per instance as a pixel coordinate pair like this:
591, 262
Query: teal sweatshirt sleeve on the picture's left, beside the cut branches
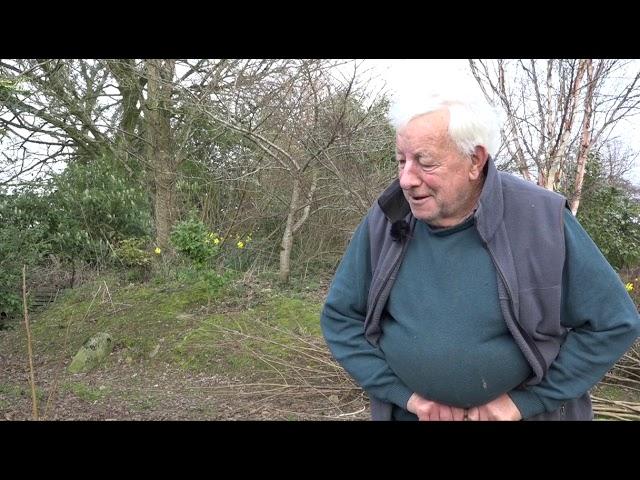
342, 322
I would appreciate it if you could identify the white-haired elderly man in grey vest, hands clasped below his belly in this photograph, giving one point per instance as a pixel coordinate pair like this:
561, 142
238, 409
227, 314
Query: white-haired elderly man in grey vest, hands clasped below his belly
470, 294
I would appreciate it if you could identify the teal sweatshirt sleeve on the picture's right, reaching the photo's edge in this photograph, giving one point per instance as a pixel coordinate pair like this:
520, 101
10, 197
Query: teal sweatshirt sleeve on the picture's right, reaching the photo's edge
602, 319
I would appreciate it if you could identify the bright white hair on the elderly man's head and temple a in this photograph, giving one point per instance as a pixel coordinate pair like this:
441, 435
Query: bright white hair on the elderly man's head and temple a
471, 121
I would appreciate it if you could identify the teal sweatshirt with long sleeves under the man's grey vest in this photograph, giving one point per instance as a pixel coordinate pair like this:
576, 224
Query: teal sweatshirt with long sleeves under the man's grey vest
444, 335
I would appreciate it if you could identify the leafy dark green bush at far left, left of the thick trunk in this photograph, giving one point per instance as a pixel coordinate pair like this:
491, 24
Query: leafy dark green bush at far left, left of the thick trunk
76, 216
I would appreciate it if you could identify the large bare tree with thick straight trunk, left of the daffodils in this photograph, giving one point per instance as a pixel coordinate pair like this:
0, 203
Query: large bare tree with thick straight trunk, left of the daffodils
79, 110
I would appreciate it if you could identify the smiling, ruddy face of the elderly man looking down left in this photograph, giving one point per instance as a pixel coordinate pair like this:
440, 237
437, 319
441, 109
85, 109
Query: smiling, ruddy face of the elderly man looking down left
435, 176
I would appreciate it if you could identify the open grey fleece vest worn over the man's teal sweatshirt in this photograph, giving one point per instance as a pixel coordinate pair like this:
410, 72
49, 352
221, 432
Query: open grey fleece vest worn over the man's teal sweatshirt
522, 228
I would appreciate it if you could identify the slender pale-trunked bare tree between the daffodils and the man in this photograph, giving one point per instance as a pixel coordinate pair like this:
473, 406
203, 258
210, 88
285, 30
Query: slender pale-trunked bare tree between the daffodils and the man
300, 117
